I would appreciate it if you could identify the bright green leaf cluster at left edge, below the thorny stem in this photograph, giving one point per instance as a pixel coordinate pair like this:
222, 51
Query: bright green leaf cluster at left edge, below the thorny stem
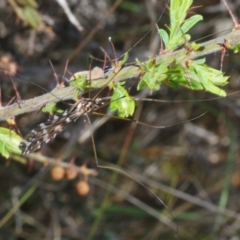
9, 142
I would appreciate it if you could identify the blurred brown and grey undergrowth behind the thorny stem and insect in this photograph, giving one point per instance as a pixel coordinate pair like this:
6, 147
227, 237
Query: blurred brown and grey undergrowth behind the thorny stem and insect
192, 167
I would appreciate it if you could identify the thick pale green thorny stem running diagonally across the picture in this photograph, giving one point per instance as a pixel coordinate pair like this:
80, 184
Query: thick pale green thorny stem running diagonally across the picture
127, 72
